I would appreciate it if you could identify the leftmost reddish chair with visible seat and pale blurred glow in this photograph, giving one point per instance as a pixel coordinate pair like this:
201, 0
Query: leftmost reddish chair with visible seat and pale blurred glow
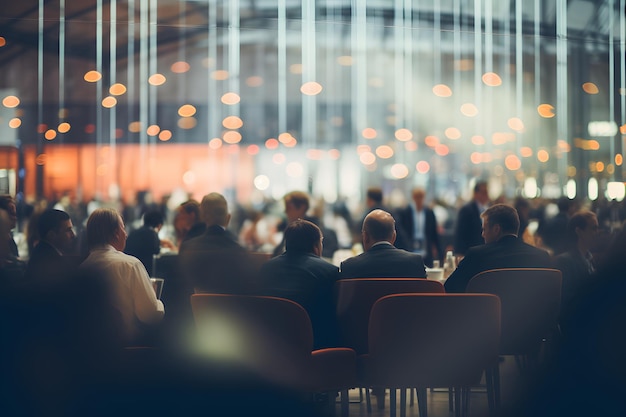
273, 338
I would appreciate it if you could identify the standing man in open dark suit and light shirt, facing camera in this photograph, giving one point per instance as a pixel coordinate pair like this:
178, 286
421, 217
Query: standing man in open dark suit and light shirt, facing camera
418, 226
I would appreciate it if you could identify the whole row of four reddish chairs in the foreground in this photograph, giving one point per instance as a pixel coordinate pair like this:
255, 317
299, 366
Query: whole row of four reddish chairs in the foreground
399, 334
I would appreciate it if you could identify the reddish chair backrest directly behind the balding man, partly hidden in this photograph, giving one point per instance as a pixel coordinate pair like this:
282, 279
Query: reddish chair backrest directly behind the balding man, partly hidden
355, 298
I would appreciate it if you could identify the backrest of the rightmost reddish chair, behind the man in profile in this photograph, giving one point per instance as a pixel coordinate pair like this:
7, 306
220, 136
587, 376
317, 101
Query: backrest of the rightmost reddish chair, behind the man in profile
531, 302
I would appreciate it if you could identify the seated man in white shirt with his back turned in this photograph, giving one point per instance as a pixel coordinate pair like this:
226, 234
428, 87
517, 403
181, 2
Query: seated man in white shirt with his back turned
132, 292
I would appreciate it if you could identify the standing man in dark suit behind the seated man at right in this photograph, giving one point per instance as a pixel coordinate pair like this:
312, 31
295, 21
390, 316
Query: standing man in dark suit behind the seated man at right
468, 223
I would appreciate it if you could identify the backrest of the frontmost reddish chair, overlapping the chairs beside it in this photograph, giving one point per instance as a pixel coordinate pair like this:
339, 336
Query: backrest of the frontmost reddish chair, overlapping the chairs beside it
433, 340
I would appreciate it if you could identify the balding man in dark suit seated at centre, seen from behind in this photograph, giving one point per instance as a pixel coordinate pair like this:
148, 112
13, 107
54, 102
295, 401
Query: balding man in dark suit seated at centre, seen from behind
381, 259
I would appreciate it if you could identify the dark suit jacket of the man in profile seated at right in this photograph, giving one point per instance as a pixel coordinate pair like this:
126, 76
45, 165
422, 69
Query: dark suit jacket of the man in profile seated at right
508, 252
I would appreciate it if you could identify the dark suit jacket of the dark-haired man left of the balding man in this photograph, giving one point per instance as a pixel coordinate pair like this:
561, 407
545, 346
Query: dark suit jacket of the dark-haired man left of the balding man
309, 281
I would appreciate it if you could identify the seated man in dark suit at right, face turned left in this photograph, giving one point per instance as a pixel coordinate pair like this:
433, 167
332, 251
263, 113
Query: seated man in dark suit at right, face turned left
502, 249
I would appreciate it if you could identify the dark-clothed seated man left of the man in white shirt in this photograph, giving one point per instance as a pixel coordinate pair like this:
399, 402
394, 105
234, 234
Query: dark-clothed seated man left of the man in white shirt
47, 264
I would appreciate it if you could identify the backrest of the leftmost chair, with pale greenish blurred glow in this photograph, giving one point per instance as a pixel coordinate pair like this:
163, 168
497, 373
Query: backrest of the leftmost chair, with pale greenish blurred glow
267, 335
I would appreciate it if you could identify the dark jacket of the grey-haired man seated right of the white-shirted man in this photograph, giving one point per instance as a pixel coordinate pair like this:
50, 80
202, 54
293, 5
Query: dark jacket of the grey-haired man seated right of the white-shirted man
215, 262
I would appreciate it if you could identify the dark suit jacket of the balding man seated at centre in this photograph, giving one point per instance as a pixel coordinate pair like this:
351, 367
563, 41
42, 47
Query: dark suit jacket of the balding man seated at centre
384, 261
